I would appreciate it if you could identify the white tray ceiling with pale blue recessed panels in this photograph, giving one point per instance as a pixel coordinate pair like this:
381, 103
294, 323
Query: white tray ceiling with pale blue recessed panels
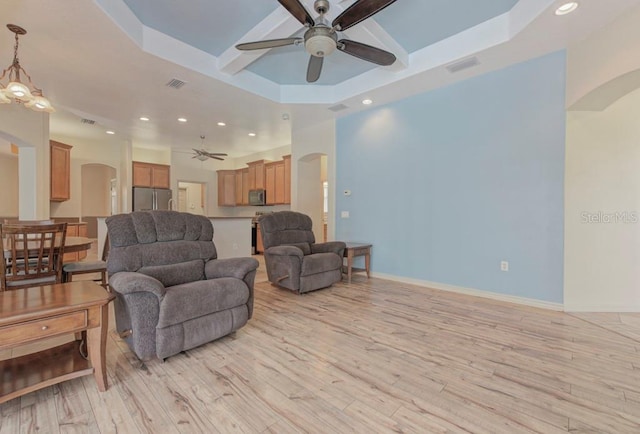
110, 60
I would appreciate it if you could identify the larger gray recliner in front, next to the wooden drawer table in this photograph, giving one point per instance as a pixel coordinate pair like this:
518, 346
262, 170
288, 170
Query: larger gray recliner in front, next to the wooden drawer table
172, 294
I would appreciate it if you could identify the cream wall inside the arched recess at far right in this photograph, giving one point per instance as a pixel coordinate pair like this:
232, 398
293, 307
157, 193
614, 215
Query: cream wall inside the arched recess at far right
602, 208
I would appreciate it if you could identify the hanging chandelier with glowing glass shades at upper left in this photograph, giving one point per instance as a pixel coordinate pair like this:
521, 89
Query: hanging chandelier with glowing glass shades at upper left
17, 91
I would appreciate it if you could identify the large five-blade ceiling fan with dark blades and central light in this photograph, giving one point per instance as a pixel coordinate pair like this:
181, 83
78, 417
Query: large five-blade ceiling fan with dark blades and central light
320, 40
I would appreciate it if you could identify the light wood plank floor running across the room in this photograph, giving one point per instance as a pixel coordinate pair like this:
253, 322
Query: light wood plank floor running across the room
373, 356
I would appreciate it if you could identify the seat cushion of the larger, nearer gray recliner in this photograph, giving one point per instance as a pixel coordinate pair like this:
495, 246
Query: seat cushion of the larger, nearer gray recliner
195, 299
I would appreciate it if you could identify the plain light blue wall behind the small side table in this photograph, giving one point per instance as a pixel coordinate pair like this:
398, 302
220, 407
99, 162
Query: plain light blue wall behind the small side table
449, 183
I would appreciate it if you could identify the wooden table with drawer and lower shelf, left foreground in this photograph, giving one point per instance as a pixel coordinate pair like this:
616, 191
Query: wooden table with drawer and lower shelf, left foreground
33, 314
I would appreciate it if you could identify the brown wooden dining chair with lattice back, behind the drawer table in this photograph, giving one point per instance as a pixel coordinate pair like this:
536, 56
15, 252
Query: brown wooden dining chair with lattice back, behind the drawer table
31, 254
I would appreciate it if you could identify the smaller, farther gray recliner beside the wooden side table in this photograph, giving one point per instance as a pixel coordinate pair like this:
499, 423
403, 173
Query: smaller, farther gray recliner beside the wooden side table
292, 257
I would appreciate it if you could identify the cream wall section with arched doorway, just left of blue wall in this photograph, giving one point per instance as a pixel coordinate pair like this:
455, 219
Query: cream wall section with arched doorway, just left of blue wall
310, 140
